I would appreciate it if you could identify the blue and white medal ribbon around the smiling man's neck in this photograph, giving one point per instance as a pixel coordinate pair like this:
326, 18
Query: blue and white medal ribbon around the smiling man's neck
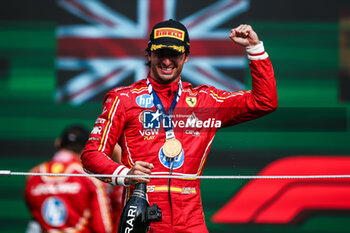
169, 131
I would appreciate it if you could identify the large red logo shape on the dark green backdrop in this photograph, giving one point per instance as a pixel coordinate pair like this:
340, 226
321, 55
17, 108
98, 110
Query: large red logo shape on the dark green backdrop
284, 201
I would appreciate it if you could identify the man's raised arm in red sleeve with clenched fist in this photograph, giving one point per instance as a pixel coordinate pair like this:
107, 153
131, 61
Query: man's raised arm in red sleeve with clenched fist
262, 99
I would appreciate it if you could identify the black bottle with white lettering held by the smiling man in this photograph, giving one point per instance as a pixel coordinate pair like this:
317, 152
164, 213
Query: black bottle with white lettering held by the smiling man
137, 214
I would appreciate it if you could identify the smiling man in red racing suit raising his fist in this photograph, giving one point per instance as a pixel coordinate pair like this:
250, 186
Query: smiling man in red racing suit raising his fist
130, 118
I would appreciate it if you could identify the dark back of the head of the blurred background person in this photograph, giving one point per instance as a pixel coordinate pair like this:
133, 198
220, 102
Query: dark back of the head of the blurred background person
74, 138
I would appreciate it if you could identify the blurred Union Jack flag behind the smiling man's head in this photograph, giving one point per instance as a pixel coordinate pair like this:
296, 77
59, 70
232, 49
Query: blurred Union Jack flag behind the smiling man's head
100, 47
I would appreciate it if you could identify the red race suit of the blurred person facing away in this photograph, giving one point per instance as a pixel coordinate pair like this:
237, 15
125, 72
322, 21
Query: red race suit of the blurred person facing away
67, 204
